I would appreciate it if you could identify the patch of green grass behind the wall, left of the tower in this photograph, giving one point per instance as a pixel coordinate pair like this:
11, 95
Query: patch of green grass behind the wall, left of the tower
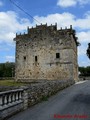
10, 83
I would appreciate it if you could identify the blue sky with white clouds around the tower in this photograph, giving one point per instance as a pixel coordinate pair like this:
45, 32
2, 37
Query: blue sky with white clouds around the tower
62, 12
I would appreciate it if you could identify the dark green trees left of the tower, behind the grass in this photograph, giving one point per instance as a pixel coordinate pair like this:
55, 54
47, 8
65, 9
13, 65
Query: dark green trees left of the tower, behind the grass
7, 69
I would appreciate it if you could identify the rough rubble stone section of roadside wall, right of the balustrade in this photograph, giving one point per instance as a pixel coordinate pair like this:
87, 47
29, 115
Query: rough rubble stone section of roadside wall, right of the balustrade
41, 91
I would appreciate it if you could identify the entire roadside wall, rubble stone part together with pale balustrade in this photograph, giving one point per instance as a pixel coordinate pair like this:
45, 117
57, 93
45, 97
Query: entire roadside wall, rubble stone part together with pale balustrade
20, 99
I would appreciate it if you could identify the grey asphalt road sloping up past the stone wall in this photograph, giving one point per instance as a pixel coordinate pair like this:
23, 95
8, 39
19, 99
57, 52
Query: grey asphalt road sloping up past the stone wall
73, 101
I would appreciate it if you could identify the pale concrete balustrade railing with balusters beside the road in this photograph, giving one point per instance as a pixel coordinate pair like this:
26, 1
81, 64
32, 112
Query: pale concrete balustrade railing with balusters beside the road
11, 102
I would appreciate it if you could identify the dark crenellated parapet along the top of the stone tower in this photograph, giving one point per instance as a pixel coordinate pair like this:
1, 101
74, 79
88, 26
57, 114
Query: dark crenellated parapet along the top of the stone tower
44, 29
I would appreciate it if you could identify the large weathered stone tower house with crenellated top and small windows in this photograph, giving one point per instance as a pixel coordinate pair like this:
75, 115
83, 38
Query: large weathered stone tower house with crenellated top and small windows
45, 53
